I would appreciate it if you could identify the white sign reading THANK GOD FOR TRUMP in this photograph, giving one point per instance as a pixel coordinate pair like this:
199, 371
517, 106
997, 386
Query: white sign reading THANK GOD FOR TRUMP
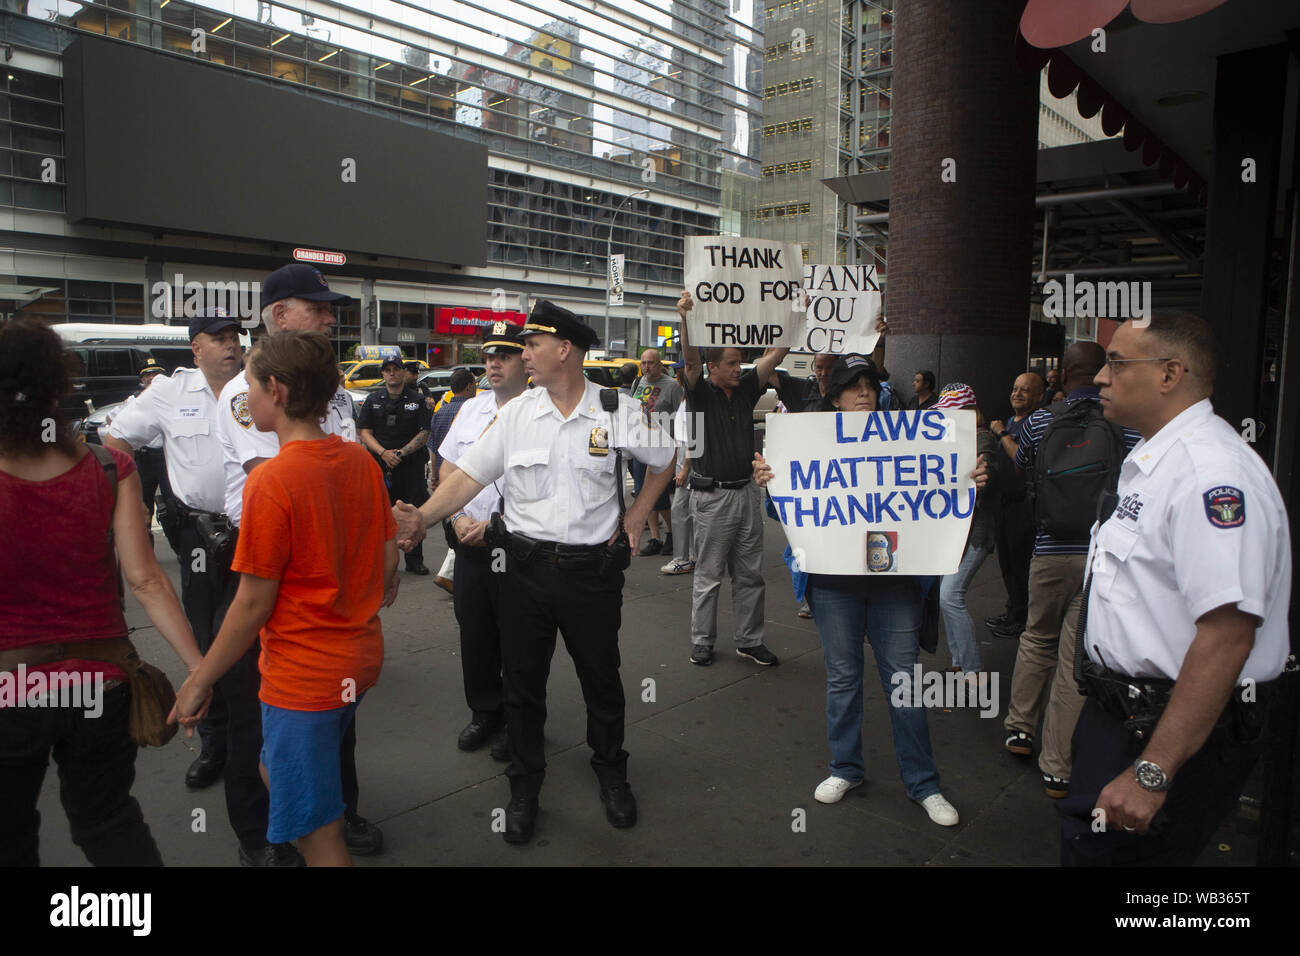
747, 292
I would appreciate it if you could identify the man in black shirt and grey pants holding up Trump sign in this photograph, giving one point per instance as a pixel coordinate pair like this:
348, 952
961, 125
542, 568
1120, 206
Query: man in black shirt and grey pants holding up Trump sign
726, 504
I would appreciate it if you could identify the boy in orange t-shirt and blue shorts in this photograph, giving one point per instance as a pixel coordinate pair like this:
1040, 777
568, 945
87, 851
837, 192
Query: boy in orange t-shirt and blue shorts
318, 560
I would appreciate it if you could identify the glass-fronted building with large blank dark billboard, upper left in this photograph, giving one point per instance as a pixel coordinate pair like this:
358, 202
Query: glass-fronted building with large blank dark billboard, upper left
579, 107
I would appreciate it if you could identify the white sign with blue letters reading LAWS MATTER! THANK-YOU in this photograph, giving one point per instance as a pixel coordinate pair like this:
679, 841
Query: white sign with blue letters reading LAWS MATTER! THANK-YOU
885, 492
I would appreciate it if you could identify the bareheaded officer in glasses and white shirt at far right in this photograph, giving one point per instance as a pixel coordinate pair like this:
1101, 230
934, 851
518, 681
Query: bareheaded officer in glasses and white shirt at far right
1185, 613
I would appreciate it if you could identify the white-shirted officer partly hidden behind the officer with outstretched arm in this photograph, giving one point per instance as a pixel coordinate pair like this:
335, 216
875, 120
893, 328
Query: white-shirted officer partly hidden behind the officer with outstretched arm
476, 595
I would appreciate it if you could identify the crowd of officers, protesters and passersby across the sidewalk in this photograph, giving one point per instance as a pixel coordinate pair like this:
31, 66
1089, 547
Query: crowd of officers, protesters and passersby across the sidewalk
1119, 504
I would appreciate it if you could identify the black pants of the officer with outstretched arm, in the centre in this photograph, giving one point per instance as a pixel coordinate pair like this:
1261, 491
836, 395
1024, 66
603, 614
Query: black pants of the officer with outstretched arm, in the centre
586, 607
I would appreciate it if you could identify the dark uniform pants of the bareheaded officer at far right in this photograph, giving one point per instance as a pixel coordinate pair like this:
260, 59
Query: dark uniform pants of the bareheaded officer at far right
1204, 791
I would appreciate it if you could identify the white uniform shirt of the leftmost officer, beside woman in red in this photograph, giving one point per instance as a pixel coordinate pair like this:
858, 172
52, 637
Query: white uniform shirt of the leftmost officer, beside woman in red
183, 410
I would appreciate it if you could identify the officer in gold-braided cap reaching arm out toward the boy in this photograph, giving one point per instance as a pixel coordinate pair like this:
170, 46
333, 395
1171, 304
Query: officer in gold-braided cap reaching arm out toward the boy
558, 449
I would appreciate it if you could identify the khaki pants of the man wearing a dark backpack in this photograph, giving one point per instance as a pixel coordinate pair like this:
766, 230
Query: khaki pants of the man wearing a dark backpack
1045, 663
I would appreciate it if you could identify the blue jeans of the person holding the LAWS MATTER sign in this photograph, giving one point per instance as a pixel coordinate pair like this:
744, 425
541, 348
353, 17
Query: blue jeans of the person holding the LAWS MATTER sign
889, 612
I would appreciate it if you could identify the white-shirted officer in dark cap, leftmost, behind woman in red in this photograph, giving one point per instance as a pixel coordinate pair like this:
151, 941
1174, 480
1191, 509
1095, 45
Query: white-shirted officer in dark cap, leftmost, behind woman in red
181, 410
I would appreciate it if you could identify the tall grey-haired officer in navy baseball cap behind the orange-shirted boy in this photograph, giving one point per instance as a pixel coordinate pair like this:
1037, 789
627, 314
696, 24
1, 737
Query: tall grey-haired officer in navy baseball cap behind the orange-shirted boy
293, 297
